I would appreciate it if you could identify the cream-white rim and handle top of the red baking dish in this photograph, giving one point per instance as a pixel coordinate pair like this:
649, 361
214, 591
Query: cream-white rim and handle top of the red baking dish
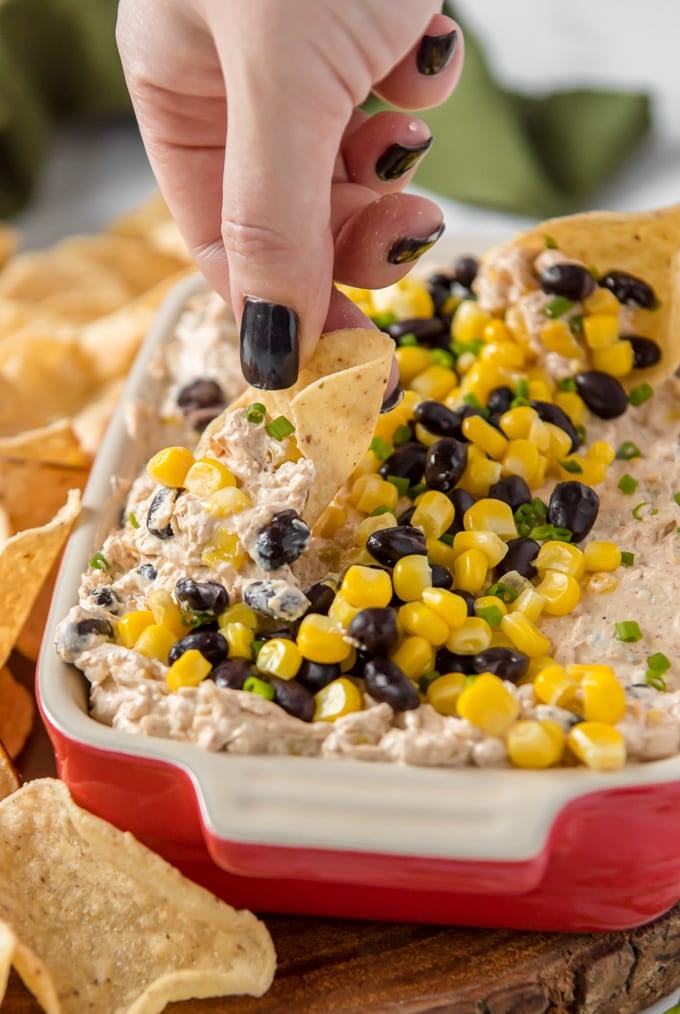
457, 814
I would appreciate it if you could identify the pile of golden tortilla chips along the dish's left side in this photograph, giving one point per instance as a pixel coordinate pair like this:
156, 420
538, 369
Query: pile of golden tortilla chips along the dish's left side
72, 319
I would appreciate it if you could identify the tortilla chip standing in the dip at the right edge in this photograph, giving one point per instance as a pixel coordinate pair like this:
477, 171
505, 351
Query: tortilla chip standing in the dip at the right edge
646, 245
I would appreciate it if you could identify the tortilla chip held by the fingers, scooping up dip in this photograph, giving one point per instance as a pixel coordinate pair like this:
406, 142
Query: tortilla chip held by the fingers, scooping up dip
335, 408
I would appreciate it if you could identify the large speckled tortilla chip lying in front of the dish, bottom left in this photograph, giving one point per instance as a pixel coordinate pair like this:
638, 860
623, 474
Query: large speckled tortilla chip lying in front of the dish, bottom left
93, 920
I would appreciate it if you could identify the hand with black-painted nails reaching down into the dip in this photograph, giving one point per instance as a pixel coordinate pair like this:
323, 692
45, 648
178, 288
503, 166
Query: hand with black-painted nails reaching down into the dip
249, 110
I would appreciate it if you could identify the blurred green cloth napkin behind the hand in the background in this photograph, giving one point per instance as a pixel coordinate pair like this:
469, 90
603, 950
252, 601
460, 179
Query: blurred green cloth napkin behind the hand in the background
533, 157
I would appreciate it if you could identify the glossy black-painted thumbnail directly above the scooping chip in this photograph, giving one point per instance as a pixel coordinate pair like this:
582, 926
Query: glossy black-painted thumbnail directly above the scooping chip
270, 351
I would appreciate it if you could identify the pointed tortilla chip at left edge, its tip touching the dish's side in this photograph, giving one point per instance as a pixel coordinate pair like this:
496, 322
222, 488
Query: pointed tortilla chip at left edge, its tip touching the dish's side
26, 561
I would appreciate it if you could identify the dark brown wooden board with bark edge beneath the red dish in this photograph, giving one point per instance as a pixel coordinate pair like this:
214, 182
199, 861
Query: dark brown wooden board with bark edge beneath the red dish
334, 966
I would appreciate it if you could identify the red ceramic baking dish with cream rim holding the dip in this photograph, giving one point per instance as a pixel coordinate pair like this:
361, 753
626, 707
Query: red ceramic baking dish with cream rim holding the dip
569, 849
